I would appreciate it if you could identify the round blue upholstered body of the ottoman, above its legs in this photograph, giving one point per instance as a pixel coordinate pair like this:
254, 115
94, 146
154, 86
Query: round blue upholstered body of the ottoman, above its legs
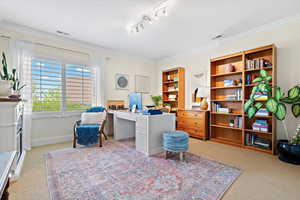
176, 141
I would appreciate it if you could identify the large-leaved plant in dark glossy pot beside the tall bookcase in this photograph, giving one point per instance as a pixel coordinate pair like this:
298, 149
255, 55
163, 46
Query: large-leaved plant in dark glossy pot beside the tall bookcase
289, 150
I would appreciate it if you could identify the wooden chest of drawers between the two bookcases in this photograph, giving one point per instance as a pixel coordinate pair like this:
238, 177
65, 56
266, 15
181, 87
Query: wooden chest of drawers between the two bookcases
193, 122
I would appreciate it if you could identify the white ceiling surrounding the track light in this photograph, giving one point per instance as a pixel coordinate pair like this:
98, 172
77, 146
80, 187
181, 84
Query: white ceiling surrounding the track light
189, 24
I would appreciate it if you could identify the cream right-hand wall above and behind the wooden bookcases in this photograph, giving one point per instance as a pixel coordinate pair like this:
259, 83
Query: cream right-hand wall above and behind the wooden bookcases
286, 36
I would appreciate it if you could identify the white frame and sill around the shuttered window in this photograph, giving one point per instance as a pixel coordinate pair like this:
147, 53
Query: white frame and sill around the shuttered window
63, 110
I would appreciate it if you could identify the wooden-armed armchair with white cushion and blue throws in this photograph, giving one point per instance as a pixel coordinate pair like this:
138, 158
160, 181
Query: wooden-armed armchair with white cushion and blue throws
88, 131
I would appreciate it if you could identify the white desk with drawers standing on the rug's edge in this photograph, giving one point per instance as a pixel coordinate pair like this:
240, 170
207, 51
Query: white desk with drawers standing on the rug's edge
147, 129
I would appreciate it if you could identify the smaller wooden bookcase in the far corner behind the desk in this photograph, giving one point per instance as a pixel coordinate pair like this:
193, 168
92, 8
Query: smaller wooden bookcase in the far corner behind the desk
173, 83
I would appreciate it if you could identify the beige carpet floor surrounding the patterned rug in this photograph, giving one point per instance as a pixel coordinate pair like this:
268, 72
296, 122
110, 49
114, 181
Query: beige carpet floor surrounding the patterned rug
264, 177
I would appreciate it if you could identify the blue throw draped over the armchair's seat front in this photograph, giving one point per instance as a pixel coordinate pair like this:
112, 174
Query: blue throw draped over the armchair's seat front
87, 134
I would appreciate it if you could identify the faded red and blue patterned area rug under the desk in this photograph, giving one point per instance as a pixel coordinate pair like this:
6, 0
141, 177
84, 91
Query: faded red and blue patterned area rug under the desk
117, 171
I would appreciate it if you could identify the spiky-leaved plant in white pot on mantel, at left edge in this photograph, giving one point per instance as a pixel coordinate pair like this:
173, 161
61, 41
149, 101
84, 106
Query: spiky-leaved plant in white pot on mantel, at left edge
4, 79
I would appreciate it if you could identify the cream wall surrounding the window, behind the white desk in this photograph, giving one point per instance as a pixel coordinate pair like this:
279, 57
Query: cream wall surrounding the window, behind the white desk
55, 129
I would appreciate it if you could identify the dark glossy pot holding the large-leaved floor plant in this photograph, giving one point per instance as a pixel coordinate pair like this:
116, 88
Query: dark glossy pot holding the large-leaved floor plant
288, 153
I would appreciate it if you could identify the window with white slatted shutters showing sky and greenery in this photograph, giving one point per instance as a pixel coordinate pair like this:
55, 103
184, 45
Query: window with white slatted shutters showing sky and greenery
59, 87
